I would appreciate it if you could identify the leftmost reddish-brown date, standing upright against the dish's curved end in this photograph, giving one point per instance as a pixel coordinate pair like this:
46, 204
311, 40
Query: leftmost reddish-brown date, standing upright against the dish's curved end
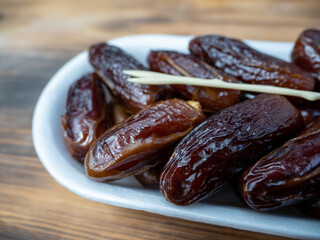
86, 115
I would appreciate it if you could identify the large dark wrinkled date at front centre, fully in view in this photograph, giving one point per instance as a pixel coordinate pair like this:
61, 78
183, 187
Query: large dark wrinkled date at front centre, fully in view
223, 145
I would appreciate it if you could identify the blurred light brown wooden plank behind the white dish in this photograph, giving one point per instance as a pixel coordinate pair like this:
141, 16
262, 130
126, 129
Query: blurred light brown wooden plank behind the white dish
76, 24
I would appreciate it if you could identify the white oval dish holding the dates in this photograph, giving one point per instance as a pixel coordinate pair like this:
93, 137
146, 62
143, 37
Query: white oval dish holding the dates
223, 209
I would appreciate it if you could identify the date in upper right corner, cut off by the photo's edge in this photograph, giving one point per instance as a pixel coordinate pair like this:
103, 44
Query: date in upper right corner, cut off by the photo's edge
306, 52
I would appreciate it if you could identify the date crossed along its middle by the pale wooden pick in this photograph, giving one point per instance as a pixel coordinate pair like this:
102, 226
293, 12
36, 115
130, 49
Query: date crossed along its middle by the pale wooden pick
175, 63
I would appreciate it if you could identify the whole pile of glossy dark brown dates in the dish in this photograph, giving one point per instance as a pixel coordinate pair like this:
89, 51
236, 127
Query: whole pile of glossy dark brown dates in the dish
192, 141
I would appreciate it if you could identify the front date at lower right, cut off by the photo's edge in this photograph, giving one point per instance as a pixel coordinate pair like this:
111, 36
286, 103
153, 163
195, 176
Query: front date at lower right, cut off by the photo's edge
286, 176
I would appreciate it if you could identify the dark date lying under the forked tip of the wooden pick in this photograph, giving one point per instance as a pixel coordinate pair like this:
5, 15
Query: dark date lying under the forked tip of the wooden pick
109, 63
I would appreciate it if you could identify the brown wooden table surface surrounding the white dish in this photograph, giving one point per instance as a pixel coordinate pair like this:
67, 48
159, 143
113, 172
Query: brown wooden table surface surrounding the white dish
37, 37
